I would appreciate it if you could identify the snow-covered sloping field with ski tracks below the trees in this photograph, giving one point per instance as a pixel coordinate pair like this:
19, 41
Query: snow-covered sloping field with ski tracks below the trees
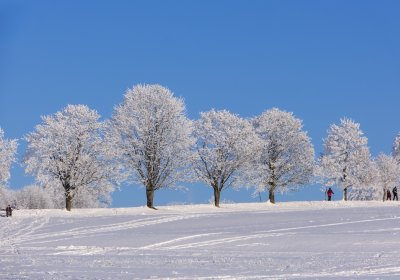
301, 240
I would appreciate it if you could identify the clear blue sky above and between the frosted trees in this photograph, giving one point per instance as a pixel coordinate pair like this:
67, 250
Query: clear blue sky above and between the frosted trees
322, 60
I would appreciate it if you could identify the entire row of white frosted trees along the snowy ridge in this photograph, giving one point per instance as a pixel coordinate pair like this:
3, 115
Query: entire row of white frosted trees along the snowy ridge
149, 140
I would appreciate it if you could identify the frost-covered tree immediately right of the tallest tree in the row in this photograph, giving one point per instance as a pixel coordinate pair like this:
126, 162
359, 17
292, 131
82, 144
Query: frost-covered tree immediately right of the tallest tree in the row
226, 146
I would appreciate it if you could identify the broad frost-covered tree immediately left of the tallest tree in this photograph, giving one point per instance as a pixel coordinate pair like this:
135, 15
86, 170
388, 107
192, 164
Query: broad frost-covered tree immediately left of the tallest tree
67, 150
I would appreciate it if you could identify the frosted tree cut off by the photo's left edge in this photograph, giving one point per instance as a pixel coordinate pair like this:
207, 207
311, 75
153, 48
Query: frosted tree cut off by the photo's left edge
8, 149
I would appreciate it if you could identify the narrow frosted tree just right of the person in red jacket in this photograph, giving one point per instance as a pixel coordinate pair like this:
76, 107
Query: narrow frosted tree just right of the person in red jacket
346, 159
